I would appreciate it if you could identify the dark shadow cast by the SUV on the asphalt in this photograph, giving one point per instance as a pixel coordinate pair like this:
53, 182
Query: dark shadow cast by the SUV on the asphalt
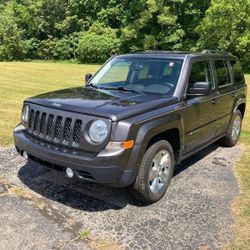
86, 196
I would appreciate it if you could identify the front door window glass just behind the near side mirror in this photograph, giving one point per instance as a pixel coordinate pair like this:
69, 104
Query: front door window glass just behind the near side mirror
200, 72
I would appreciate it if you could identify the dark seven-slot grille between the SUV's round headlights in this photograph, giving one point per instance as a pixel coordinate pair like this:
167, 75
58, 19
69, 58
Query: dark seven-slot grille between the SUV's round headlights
55, 128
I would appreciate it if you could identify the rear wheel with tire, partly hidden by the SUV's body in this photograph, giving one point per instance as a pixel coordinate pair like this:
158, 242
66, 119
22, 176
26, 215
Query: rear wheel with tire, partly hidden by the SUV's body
233, 133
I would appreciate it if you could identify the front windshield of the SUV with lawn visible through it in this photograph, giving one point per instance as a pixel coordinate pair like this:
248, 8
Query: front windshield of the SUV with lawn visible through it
157, 76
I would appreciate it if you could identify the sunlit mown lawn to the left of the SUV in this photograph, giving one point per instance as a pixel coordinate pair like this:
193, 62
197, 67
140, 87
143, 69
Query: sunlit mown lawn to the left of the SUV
19, 80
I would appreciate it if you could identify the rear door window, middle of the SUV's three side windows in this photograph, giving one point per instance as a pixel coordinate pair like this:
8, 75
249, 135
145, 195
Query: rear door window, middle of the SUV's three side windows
222, 71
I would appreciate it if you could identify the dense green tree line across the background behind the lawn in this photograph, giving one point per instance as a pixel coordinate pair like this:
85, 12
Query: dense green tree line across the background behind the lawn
92, 30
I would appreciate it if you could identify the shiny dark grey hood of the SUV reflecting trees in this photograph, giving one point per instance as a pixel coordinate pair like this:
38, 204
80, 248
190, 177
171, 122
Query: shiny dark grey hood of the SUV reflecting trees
113, 104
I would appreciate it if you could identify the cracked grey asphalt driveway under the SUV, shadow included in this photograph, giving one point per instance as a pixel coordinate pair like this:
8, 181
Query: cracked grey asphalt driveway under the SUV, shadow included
194, 214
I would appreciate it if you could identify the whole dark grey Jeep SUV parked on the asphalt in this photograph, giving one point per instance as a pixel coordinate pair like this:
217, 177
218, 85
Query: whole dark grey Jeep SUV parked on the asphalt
136, 118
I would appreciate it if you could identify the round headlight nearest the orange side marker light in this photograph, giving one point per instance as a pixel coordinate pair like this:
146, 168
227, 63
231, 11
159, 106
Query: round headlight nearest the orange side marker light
98, 131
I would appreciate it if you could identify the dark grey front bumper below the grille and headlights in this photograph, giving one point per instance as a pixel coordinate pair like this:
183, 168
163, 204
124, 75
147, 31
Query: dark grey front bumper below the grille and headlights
118, 169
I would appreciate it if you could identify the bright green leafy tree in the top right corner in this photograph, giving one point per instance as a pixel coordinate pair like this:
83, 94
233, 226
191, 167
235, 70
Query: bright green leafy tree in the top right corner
226, 27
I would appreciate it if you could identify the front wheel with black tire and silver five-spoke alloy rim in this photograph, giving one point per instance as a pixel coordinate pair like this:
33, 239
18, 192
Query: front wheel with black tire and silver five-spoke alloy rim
155, 173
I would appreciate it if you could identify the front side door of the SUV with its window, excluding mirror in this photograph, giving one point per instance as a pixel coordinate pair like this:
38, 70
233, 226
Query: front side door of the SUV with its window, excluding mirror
200, 114
